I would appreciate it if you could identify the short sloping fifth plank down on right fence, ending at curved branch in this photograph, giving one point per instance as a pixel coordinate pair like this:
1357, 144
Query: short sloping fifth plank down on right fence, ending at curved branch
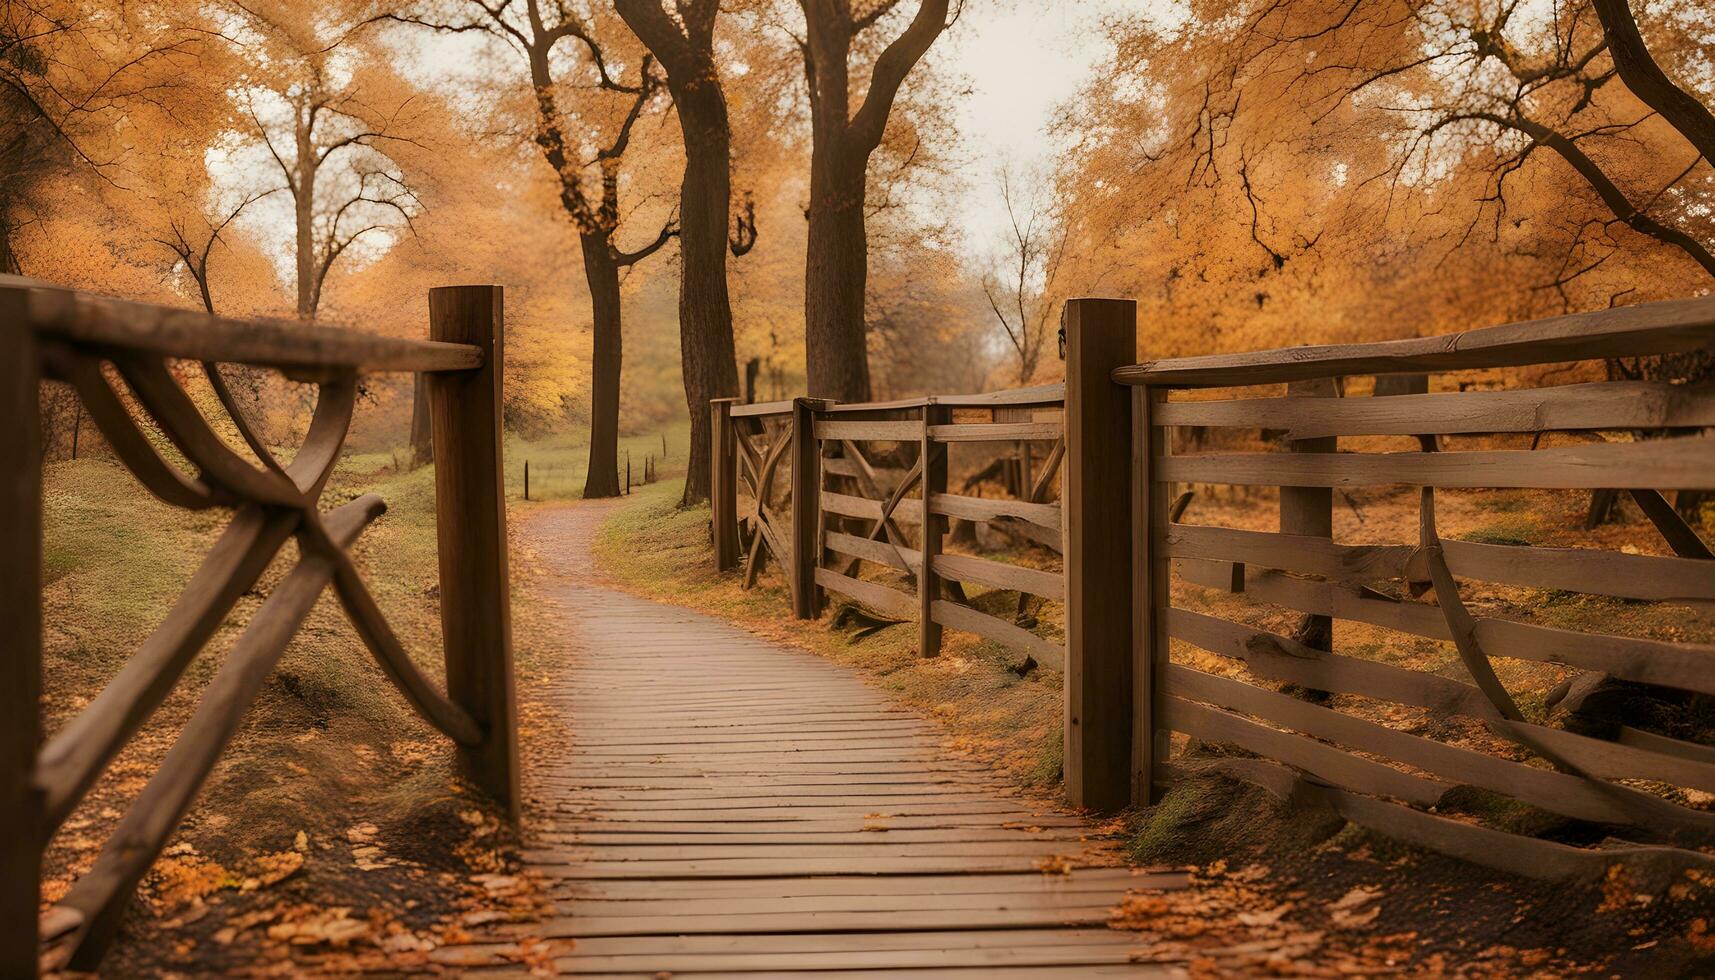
1289, 662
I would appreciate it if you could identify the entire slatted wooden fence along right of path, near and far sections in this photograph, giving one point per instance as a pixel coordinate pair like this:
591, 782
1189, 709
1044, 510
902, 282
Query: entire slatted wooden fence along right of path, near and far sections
1129, 667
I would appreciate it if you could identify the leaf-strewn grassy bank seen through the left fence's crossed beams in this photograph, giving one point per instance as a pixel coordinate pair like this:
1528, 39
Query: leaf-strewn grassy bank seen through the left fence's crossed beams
328, 746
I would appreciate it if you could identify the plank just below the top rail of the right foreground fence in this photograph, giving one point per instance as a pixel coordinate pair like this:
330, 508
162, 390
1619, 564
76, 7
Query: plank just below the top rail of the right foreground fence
1567, 408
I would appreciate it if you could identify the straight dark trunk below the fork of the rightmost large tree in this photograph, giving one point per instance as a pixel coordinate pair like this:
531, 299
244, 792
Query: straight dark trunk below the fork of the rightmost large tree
836, 272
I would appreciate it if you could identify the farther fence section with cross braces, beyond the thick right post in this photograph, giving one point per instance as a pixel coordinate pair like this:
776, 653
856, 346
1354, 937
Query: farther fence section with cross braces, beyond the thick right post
827, 488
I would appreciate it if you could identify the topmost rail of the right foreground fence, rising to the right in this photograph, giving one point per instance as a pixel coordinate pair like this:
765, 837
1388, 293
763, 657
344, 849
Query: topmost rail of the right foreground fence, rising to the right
1625, 332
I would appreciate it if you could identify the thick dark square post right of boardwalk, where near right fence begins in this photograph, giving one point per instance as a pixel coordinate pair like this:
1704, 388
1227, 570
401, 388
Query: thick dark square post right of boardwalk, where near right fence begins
1102, 336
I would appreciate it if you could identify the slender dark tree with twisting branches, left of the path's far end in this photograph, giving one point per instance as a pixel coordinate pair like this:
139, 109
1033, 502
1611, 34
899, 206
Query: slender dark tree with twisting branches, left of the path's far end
596, 212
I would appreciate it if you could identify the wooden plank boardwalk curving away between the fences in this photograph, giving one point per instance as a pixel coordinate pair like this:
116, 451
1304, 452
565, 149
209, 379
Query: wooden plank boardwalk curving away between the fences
737, 808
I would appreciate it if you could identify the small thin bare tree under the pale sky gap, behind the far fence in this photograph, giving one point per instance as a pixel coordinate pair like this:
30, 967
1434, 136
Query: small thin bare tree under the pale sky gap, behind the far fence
1021, 299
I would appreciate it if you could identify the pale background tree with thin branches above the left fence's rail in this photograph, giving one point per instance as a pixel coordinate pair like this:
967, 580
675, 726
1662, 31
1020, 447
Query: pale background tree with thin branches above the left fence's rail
325, 121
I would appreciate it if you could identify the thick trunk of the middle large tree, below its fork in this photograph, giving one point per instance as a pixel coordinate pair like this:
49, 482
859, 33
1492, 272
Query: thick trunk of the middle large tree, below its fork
706, 310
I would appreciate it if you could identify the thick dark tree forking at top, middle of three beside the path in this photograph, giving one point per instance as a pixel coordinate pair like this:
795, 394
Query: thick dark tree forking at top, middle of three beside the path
687, 51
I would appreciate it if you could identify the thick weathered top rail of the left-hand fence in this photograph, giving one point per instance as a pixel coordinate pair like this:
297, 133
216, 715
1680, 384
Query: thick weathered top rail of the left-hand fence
176, 332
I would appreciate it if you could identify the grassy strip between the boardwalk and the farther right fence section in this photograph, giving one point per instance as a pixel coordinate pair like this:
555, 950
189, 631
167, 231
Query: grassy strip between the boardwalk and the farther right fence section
658, 550
